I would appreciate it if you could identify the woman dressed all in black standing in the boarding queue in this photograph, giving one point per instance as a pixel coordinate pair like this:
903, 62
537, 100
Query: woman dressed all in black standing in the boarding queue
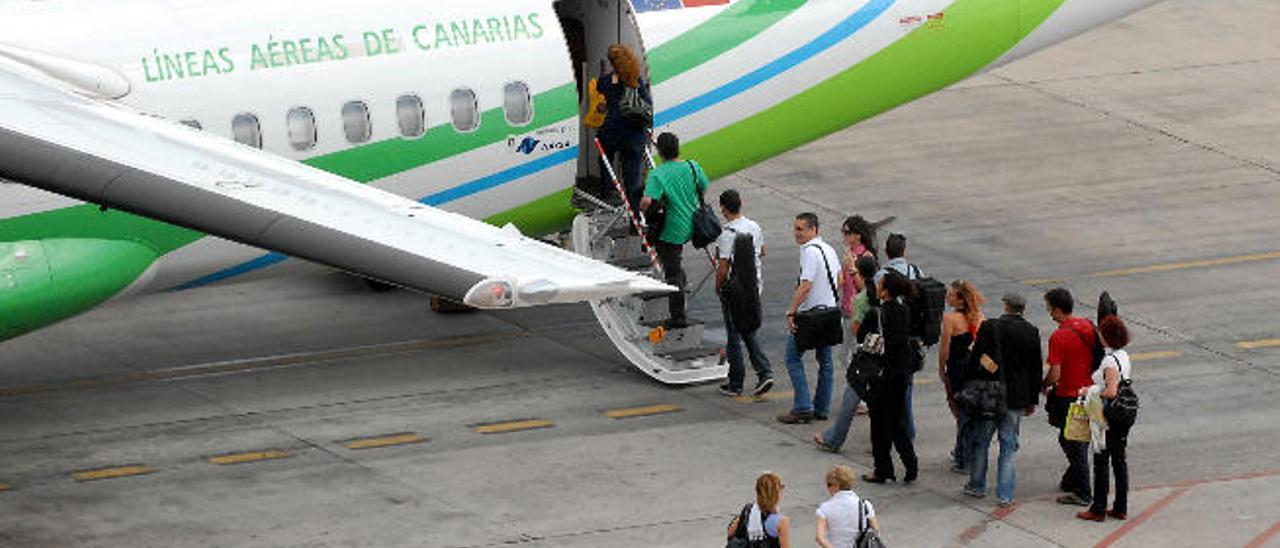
889, 422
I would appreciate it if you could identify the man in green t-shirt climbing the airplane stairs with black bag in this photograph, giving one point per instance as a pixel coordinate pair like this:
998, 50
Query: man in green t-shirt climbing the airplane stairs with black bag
679, 185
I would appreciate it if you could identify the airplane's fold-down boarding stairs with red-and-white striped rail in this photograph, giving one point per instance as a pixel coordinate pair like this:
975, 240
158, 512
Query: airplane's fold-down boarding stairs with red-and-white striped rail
636, 323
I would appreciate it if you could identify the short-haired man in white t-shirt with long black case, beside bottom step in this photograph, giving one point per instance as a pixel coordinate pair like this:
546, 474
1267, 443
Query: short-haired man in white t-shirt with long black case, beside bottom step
738, 225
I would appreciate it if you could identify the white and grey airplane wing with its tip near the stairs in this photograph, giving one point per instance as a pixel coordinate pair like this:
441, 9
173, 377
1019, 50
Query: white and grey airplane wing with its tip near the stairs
58, 140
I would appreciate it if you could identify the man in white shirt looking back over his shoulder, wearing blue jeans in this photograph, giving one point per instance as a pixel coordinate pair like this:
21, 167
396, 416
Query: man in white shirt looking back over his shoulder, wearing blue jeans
817, 287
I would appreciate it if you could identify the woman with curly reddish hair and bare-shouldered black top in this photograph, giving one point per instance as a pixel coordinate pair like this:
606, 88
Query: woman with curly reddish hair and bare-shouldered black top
959, 332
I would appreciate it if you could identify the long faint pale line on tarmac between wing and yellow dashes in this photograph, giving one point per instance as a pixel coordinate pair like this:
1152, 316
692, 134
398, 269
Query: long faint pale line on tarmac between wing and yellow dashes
259, 364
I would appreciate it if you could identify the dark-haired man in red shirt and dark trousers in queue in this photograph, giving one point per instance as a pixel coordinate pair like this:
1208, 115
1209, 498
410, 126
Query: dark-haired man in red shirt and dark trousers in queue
1071, 364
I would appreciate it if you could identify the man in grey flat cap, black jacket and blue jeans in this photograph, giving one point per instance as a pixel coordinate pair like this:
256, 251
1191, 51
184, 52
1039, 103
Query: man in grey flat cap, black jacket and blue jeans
1014, 346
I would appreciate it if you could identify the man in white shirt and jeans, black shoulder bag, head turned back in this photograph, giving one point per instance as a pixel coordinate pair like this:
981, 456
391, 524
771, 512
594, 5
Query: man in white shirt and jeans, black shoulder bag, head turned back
813, 321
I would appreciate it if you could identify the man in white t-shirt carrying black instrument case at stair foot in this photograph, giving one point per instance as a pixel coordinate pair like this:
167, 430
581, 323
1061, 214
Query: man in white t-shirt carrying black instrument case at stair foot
749, 286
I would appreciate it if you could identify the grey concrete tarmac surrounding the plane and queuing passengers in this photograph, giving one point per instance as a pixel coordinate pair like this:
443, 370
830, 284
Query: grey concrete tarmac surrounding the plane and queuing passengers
308, 412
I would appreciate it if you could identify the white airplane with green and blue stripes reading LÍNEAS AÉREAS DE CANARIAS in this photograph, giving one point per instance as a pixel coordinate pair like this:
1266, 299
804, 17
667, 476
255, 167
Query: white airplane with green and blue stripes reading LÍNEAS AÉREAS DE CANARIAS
152, 147
